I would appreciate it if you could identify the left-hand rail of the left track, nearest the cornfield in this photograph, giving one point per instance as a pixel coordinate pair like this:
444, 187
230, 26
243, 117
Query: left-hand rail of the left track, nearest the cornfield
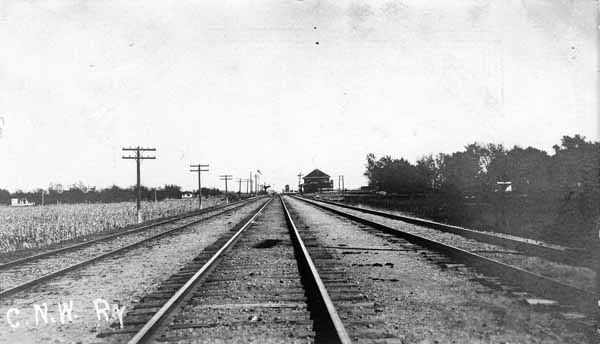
24, 260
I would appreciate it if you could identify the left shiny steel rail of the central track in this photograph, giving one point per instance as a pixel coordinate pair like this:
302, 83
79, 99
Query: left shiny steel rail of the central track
154, 323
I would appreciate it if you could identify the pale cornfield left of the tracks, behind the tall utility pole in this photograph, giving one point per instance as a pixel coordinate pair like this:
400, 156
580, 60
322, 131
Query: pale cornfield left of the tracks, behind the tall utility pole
27, 227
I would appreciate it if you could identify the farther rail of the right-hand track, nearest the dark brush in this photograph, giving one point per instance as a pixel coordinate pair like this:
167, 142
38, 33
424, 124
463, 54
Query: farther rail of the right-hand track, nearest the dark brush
571, 256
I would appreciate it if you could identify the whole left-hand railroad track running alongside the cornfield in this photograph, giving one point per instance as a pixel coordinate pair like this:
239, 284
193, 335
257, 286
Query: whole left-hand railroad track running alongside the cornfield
21, 274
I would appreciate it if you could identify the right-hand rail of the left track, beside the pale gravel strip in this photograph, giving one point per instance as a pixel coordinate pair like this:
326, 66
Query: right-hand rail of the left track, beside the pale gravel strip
28, 284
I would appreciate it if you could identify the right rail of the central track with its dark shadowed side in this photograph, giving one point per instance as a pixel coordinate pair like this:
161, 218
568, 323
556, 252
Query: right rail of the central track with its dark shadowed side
341, 335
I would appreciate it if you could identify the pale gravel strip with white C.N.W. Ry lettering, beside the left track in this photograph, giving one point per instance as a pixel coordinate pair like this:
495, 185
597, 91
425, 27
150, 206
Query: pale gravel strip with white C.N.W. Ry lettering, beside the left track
117, 282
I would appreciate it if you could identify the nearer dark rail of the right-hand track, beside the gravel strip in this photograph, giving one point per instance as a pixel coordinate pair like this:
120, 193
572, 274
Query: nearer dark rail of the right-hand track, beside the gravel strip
582, 300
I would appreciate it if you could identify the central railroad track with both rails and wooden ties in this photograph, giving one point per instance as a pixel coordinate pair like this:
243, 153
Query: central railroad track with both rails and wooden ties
265, 281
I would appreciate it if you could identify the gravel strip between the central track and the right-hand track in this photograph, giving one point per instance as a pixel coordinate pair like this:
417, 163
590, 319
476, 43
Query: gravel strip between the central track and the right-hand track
422, 303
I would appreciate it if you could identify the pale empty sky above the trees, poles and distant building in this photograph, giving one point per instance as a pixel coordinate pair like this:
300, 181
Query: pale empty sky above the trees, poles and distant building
283, 86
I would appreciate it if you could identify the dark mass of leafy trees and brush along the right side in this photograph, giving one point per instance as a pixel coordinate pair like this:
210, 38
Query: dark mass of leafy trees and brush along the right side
551, 196
